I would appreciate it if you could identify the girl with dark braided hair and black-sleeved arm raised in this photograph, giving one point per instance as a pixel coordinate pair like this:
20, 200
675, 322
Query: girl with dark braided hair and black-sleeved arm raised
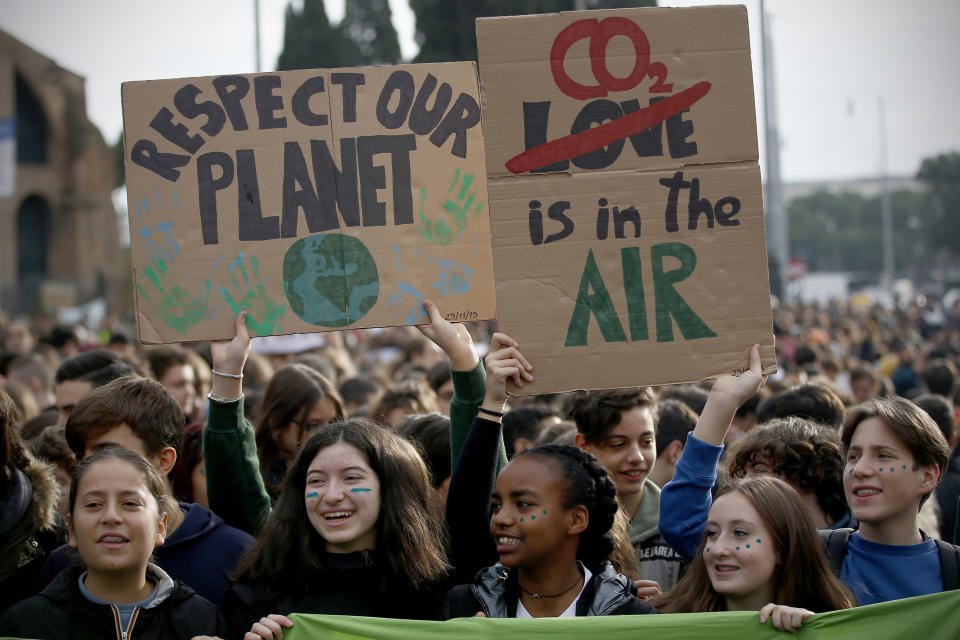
544, 524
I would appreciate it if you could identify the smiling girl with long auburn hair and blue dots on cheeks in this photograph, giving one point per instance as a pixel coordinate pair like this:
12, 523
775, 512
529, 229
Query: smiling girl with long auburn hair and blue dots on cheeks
759, 548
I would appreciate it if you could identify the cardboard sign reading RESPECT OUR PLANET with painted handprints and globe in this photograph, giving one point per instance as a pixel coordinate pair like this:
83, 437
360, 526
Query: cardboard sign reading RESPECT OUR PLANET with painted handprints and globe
316, 200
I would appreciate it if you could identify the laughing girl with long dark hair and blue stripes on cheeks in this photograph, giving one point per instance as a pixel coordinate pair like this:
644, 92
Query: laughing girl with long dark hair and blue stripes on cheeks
351, 534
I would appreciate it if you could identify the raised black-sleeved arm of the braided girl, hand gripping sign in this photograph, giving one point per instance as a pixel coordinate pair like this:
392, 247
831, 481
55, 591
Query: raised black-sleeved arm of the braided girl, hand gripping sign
474, 475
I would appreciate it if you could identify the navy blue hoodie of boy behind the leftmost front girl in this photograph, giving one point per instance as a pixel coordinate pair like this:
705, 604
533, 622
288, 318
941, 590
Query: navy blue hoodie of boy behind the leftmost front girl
201, 552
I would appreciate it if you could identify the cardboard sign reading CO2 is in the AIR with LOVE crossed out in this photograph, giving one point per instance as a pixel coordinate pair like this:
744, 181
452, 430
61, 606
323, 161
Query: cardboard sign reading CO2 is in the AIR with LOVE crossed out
625, 194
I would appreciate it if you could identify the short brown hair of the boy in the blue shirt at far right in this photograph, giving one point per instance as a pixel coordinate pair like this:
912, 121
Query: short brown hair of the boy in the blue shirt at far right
909, 424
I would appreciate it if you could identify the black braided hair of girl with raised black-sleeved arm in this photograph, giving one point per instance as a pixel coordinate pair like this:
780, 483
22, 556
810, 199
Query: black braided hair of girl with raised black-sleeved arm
588, 485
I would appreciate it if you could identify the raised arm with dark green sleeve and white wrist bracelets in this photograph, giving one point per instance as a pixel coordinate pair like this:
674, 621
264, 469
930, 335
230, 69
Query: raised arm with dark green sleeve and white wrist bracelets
234, 485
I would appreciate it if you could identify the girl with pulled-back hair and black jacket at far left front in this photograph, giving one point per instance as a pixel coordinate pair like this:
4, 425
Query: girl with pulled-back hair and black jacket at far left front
118, 514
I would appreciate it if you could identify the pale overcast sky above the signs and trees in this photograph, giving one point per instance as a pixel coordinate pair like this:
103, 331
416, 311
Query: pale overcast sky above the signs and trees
834, 60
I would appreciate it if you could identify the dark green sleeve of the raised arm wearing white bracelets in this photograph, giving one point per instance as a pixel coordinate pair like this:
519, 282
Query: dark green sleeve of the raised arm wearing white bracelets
235, 488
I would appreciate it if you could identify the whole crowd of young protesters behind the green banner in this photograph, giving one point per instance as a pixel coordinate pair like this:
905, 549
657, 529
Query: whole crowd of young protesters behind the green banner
213, 489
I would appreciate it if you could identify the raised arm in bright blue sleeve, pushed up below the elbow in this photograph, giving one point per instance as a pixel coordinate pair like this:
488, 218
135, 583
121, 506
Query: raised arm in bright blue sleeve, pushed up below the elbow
685, 501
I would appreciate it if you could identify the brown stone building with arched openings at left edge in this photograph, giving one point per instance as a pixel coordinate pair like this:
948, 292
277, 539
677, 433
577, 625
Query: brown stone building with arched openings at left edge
58, 230
